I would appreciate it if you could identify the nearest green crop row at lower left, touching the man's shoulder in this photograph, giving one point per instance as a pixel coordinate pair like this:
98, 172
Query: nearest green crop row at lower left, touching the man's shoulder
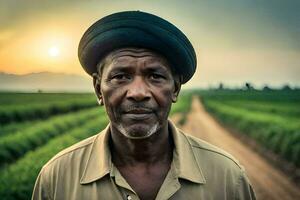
17, 180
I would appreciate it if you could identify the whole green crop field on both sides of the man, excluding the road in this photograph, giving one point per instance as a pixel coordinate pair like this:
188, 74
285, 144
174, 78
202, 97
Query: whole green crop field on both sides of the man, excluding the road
34, 127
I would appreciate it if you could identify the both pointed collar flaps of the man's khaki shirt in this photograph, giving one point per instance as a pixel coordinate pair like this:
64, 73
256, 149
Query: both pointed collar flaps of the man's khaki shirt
99, 163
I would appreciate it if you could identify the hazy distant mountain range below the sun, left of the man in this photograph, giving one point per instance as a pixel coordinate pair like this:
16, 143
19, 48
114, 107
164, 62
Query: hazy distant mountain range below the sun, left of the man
45, 82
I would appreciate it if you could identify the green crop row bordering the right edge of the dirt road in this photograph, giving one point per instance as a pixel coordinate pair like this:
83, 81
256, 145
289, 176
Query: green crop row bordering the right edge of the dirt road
274, 132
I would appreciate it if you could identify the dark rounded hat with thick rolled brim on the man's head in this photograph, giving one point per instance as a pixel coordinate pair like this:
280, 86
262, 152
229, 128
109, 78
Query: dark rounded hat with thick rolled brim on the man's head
137, 29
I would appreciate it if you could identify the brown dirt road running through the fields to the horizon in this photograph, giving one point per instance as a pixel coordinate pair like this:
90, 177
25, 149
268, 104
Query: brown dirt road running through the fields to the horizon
268, 182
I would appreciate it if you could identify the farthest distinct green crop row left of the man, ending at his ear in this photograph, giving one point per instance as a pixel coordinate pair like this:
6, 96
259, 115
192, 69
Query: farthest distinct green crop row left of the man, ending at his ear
27, 112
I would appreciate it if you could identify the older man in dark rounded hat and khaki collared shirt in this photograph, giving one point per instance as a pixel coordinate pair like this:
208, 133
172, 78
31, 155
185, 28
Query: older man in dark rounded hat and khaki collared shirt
138, 62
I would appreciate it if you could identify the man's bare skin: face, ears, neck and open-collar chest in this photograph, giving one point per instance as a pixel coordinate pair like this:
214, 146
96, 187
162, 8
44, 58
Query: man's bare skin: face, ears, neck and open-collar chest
137, 88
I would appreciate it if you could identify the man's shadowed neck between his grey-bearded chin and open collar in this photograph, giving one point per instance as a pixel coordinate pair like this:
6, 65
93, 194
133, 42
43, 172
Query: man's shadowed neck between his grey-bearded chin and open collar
152, 150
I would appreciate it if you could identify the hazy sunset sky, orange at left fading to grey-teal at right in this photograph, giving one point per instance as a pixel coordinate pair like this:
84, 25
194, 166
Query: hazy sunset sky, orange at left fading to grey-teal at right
236, 41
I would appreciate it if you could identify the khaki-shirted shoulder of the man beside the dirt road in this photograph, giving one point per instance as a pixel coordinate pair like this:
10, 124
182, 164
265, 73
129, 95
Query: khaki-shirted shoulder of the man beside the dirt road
218, 166
